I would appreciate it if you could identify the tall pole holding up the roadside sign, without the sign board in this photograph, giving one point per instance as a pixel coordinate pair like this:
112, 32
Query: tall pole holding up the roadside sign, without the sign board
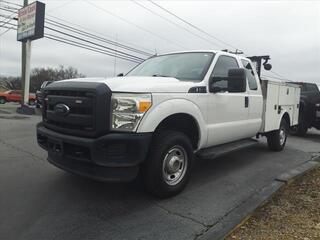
25, 67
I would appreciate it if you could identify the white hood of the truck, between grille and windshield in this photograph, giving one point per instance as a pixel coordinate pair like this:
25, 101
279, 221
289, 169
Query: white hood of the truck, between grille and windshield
141, 84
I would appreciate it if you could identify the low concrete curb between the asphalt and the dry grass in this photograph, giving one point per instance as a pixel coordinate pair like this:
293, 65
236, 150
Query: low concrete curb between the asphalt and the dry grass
244, 211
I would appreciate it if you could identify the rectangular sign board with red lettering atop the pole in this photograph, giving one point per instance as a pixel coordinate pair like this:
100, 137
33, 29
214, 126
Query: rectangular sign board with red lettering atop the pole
31, 22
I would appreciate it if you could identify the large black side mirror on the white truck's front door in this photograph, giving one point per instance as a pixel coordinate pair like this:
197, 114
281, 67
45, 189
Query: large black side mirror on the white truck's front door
235, 82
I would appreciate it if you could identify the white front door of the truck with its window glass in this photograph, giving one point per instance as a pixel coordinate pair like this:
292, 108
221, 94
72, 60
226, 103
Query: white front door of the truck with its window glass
228, 112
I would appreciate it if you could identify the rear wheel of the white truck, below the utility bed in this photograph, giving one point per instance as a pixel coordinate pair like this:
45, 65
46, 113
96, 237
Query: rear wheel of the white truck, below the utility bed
277, 139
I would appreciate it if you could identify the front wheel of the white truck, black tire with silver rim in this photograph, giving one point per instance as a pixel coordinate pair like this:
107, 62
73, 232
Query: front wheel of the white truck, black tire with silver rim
167, 170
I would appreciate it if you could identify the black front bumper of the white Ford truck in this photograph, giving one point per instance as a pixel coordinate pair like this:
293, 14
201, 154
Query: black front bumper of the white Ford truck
112, 157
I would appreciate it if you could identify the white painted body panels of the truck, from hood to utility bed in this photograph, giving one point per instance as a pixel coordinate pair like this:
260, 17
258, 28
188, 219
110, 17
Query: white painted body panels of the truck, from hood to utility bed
221, 117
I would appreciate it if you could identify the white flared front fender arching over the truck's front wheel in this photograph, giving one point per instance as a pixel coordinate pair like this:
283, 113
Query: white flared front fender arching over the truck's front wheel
167, 108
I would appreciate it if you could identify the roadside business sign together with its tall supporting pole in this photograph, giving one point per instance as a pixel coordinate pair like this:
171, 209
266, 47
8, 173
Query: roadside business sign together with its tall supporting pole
30, 27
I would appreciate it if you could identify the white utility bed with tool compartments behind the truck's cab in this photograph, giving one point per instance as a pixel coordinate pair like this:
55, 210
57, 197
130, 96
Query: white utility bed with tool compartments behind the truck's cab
279, 98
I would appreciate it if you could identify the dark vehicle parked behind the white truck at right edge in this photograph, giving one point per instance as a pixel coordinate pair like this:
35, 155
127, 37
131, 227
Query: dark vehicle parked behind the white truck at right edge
309, 108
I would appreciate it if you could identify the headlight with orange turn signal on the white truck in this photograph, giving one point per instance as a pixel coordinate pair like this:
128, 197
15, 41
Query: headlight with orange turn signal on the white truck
128, 110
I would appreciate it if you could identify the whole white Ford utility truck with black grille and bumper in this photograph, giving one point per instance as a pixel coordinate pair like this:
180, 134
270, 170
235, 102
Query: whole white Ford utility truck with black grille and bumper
161, 116
